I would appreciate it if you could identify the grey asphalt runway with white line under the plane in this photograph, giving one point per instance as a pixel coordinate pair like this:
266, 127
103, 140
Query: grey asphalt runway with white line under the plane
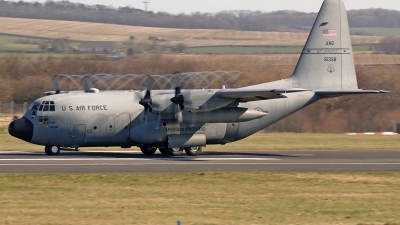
135, 162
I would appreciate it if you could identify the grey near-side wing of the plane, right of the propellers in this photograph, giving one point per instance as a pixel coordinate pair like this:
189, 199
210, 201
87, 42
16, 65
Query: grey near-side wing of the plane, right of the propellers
248, 95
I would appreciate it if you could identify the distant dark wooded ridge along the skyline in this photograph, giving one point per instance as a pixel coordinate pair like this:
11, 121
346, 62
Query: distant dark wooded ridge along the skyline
229, 20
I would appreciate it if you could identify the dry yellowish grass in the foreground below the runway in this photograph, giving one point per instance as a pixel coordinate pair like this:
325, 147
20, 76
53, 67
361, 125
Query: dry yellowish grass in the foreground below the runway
202, 198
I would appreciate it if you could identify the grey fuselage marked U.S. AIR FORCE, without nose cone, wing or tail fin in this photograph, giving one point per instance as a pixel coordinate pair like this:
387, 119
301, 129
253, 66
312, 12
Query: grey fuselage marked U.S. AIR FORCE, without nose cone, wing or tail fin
110, 119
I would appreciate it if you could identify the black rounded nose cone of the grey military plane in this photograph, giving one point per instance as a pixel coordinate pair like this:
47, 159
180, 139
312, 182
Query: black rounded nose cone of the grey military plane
22, 129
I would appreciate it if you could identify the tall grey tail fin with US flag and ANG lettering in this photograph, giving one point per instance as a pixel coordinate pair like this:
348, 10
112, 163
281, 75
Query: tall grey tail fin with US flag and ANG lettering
326, 62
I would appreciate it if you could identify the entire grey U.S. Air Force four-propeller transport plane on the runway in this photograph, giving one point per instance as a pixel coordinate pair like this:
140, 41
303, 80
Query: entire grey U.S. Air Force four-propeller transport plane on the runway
177, 120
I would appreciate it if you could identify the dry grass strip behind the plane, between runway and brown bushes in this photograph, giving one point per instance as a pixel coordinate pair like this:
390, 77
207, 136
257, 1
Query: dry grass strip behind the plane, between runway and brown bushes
263, 141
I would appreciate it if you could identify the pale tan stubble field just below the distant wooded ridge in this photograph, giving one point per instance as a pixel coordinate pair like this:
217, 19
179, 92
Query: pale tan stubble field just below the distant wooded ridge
119, 33
